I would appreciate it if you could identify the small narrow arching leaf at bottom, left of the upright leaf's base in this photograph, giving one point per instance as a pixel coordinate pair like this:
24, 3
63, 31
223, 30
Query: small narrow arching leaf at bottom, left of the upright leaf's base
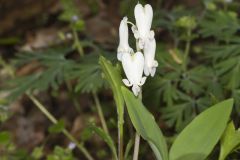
106, 138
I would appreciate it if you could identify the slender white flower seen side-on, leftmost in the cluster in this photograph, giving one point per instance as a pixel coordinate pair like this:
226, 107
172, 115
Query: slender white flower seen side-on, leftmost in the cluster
123, 39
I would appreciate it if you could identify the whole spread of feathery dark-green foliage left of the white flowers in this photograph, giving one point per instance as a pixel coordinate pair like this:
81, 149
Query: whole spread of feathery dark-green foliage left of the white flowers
54, 69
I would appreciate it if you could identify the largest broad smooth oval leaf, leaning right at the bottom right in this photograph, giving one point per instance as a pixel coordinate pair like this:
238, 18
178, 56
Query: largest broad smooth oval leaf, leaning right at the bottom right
198, 139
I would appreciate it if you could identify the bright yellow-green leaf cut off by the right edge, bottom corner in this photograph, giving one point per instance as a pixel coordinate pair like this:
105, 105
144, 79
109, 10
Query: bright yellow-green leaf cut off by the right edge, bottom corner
229, 141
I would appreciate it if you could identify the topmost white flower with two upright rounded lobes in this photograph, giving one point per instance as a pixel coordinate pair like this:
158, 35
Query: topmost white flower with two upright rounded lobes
143, 16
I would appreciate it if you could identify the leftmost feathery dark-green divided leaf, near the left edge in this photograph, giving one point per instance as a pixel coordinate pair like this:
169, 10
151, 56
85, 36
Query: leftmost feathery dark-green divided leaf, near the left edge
56, 66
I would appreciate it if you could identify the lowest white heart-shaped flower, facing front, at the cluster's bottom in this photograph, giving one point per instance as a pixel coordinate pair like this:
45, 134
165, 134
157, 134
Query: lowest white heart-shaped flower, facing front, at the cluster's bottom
133, 65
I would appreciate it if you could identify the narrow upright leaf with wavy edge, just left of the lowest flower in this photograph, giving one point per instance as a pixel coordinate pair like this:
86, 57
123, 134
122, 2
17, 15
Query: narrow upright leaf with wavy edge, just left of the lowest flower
113, 76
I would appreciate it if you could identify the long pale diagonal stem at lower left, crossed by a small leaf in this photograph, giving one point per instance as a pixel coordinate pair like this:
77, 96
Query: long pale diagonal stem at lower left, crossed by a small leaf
65, 132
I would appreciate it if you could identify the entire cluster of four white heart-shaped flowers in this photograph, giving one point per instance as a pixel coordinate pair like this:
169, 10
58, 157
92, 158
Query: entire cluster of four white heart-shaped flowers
135, 64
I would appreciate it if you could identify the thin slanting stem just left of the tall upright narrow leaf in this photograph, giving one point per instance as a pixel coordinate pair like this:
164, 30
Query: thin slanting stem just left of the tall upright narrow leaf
100, 112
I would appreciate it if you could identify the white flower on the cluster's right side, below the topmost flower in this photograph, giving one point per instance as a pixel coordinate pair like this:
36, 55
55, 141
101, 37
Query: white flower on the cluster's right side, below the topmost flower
150, 64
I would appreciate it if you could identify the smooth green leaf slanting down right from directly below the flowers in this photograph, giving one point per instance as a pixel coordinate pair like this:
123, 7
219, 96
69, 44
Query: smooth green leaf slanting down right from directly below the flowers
144, 123
